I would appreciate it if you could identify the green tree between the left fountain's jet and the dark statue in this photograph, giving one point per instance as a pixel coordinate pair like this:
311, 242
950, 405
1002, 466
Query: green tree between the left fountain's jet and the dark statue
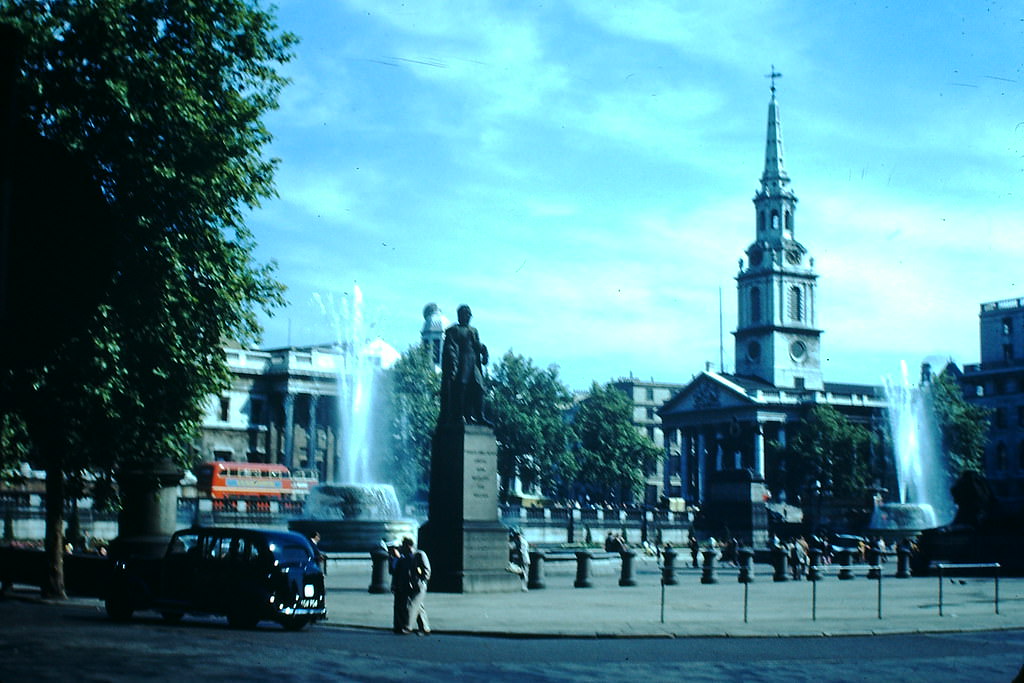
414, 390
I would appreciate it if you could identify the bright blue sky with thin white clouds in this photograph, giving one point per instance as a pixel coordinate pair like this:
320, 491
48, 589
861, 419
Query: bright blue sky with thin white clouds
581, 174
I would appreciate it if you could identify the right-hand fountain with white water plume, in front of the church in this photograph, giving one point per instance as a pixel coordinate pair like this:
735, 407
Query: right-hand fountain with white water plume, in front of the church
925, 500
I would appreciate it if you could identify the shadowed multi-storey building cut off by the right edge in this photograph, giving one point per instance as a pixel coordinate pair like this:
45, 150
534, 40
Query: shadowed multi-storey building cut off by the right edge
998, 383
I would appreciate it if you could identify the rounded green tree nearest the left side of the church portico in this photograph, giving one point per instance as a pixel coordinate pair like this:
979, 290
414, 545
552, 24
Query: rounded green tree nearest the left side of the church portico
611, 455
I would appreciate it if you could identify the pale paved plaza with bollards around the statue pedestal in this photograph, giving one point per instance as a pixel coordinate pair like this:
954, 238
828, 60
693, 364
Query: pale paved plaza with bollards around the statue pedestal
693, 609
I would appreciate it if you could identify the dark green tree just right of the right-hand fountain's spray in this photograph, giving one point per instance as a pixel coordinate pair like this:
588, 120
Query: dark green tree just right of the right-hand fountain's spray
964, 428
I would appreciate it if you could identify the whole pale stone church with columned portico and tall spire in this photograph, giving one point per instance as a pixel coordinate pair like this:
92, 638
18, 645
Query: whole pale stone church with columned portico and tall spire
721, 421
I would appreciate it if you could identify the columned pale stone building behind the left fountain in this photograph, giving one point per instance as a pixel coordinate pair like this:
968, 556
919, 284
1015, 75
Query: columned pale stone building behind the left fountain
282, 407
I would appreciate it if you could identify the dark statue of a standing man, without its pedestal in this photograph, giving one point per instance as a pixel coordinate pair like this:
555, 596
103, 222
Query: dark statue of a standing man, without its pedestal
462, 372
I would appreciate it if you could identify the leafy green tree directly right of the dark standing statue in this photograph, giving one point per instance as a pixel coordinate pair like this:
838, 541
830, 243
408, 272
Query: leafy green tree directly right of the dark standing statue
528, 407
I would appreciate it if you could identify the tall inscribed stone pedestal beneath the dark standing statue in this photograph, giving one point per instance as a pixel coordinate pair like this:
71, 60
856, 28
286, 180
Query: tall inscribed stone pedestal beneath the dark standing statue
464, 539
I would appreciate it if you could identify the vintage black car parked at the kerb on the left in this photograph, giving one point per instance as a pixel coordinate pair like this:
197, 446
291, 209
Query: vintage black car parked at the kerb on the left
245, 575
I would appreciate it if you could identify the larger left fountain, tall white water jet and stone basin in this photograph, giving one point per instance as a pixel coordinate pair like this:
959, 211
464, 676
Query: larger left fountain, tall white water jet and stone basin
353, 513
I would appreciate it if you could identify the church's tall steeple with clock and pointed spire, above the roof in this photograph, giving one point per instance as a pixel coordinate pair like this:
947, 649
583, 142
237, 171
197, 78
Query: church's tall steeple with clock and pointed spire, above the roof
777, 337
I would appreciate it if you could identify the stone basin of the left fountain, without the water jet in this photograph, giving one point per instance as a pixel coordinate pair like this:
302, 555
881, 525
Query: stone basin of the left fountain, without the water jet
354, 518
